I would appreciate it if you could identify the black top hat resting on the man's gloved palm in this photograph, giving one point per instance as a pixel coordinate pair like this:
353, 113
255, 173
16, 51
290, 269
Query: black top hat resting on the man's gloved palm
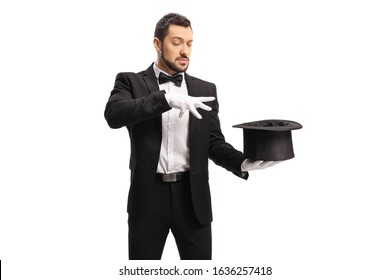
268, 140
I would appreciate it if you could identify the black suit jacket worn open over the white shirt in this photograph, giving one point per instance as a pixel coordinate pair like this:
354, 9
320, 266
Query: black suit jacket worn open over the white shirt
137, 103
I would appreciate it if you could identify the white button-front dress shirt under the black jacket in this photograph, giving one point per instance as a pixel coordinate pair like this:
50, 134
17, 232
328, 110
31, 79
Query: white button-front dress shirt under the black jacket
174, 153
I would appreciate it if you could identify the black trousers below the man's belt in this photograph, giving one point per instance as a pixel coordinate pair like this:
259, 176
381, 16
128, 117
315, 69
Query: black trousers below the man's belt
170, 208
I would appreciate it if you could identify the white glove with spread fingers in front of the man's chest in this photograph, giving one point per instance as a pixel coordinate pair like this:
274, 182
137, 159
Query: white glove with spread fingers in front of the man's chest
186, 102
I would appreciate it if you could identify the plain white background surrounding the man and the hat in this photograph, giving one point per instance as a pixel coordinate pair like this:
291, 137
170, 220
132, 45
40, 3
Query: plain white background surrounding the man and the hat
64, 172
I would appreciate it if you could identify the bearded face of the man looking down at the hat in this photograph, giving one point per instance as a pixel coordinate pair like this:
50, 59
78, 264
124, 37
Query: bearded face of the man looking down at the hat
173, 54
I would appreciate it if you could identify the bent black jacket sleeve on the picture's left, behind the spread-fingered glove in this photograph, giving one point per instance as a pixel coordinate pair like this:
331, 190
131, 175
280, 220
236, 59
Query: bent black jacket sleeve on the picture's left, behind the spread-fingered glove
131, 102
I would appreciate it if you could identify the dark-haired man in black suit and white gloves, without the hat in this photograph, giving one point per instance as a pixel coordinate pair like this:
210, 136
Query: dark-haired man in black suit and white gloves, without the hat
173, 124
